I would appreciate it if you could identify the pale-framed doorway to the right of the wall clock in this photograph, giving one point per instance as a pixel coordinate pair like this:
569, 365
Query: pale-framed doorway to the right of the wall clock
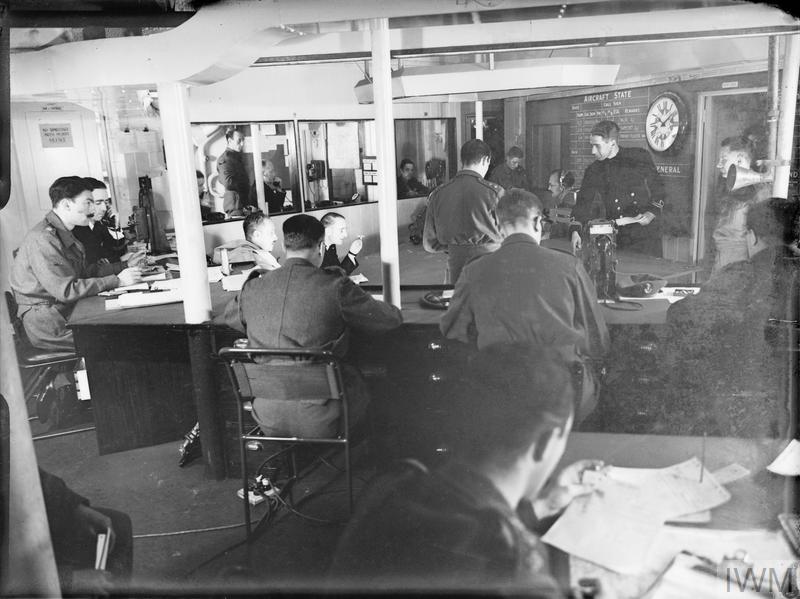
721, 114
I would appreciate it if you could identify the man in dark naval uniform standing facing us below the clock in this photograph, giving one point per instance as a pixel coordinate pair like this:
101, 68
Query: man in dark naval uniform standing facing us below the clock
627, 184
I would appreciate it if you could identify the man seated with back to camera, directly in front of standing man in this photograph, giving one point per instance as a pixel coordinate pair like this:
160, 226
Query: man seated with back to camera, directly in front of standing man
524, 292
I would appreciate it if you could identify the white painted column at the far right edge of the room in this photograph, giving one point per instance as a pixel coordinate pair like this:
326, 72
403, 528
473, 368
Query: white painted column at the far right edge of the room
788, 106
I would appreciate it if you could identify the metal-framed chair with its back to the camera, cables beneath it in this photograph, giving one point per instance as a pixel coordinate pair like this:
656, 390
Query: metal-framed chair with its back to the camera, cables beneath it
286, 374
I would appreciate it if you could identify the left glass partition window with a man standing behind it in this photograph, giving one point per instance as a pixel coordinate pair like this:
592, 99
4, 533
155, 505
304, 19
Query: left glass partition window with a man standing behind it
242, 166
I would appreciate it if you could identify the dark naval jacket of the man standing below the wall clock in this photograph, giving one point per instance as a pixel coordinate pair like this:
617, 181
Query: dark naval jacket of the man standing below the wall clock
627, 185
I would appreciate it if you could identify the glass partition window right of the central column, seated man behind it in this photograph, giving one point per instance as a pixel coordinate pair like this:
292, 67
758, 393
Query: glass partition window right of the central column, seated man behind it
426, 155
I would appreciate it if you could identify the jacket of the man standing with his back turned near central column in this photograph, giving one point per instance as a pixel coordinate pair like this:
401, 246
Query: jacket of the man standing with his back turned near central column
462, 212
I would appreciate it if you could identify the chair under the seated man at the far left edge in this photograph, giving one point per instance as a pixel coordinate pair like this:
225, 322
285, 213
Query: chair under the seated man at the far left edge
42, 364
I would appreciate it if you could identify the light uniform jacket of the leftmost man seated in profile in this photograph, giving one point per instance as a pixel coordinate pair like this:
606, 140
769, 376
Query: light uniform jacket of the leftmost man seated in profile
50, 268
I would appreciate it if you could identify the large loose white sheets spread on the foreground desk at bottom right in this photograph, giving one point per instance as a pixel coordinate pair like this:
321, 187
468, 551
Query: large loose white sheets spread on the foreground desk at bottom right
616, 525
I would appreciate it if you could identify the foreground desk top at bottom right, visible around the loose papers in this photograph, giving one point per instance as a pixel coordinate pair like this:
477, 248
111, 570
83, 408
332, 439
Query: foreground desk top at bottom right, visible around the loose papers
756, 499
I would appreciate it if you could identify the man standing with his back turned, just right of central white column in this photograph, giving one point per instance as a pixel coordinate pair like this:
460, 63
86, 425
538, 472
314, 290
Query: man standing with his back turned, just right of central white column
460, 218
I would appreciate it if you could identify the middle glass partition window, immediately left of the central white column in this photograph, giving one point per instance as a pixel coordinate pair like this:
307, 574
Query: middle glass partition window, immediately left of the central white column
333, 153
